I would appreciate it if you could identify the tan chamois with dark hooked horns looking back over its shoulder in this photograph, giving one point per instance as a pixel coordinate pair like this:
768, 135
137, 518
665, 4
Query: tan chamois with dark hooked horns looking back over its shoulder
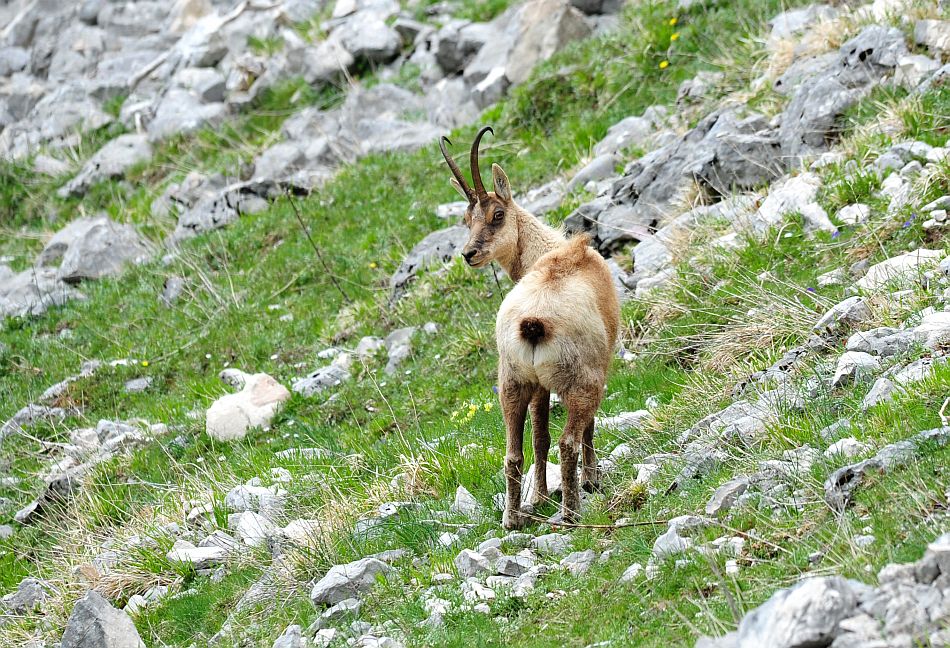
555, 331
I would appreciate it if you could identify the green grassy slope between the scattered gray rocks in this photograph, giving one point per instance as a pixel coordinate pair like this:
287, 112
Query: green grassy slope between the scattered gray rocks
364, 221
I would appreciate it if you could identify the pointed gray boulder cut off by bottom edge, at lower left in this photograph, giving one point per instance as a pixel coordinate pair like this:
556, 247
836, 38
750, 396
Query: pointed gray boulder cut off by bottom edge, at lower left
94, 623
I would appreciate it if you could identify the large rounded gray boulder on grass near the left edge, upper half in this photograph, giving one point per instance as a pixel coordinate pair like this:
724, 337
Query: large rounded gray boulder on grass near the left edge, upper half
101, 249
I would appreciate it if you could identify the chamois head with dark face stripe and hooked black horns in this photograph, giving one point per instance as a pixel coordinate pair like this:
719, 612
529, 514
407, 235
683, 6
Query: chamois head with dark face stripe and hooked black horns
491, 216
